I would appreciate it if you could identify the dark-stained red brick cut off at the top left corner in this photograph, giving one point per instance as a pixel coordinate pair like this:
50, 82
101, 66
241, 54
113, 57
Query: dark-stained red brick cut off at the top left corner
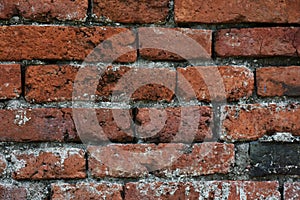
44, 10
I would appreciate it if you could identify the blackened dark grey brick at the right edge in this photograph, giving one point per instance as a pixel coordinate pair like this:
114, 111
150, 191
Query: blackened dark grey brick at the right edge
272, 158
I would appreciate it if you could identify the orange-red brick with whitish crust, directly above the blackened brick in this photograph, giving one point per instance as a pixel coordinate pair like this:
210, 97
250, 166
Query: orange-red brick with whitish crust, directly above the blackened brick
252, 121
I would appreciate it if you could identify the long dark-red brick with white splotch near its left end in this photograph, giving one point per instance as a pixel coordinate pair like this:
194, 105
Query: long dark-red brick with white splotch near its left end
51, 124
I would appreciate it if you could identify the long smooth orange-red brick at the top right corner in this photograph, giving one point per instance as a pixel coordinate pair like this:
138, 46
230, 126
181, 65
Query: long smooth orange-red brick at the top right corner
219, 11
